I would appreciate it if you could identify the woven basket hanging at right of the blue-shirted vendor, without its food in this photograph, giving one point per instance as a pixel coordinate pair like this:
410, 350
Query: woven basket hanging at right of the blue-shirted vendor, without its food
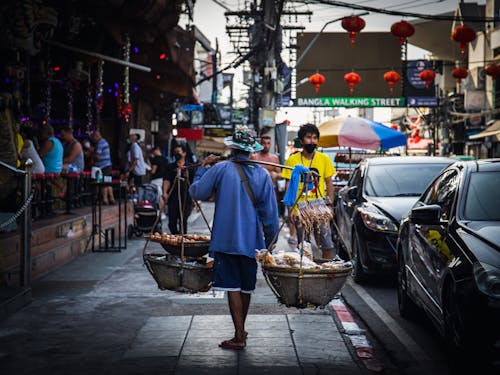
304, 287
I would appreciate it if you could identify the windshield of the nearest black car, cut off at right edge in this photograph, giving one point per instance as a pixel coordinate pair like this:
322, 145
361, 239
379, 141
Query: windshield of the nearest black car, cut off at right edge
482, 202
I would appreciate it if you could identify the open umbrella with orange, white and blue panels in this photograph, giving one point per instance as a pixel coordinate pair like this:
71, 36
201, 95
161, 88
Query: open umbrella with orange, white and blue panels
359, 132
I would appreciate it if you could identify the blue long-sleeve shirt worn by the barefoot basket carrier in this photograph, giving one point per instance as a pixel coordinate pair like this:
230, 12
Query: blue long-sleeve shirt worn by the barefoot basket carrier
239, 227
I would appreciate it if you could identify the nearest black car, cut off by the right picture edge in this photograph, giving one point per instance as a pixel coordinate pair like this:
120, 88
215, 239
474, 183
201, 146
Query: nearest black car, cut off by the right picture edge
449, 256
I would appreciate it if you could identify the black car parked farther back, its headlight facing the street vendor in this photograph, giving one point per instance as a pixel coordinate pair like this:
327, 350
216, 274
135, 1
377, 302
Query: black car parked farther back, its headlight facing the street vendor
370, 207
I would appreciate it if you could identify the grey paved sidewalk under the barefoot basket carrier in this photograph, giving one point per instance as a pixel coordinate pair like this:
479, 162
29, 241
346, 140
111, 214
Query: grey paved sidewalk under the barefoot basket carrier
103, 314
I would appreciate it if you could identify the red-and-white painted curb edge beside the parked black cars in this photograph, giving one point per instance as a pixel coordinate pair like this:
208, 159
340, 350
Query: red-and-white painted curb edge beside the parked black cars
358, 339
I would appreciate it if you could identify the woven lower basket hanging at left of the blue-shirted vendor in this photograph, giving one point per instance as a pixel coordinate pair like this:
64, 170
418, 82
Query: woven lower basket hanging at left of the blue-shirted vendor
171, 275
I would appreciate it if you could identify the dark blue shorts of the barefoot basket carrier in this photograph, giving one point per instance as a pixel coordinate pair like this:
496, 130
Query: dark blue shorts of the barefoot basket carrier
234, 273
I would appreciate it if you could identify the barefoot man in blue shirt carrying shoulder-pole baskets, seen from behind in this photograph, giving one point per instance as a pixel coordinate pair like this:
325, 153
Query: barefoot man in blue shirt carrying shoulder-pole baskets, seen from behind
245, 220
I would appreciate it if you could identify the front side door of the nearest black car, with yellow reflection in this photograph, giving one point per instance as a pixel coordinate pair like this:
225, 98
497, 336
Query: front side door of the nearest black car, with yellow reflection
429, 243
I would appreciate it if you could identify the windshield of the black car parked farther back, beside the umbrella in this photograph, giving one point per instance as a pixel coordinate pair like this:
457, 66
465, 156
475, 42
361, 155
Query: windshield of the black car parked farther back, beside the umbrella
400, 180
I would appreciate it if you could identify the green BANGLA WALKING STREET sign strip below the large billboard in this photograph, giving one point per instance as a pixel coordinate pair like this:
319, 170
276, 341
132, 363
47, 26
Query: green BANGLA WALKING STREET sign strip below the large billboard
351, 102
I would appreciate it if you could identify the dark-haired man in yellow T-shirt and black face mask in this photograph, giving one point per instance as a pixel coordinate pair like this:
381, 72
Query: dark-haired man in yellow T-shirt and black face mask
323, 187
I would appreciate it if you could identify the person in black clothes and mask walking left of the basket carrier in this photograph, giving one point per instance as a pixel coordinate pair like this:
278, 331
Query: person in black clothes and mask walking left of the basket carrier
179, 175
